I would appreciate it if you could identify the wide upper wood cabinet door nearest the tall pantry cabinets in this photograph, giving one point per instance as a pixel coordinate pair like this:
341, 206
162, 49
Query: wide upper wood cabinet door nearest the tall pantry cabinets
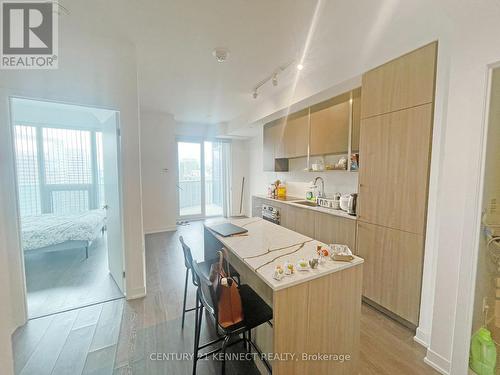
330, 126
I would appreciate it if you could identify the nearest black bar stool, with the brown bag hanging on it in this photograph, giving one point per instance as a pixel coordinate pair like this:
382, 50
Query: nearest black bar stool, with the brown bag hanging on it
255, 312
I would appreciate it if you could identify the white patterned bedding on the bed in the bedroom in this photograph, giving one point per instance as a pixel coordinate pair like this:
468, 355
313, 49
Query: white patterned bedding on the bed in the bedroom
49, 229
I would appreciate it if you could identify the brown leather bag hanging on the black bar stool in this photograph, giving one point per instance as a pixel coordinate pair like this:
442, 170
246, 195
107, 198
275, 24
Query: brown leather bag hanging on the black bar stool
228, 295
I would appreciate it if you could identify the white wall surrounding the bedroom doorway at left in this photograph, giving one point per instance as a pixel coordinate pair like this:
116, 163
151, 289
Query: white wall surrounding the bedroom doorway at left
95, 72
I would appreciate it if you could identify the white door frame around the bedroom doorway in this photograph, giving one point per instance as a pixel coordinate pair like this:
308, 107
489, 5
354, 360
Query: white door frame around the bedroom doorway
8, 96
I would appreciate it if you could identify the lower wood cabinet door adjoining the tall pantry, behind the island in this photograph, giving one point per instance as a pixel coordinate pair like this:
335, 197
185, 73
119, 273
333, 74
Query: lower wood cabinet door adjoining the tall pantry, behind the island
334, 229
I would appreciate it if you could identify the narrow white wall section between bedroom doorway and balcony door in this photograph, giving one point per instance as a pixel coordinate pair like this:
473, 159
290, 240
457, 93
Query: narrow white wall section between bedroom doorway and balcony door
159, 188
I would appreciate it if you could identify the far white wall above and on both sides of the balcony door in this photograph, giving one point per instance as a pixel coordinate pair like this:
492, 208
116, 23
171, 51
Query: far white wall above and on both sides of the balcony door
159, 132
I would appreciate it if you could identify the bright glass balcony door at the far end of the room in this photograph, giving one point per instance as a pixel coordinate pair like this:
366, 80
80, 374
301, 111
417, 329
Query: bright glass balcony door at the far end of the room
202, 178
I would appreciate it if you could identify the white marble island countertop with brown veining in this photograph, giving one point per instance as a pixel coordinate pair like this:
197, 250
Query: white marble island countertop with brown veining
268, 245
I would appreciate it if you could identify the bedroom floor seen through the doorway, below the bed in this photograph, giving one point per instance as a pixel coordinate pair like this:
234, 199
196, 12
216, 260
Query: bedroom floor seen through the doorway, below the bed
64, 280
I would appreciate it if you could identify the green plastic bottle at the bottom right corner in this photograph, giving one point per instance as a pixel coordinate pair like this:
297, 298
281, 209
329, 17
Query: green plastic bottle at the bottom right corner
483, 353
